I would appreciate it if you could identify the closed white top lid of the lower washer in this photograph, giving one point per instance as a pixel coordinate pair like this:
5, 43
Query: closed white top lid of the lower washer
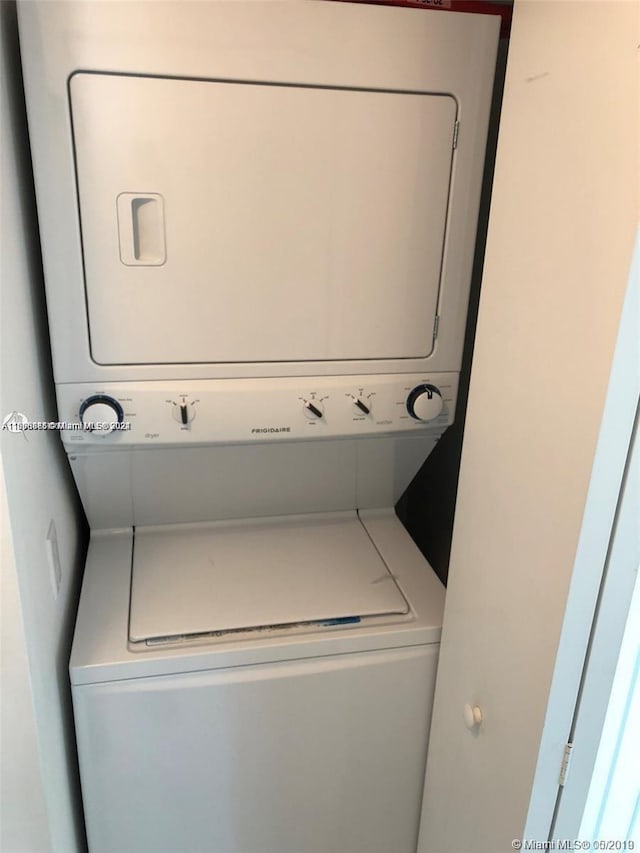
192, 579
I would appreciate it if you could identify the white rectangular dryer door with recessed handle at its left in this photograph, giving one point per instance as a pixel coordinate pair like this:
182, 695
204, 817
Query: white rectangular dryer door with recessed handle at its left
238, 222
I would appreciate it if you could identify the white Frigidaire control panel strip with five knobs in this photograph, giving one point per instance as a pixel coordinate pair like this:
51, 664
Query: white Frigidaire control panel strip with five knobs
232, 411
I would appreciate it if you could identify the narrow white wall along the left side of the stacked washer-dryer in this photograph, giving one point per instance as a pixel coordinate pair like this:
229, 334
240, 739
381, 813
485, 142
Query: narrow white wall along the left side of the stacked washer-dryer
40, 803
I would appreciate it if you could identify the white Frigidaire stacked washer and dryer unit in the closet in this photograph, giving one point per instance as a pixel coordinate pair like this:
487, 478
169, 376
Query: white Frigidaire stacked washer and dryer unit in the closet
258, 222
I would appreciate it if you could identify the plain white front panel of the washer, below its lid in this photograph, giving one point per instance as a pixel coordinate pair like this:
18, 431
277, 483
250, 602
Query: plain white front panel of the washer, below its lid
306, 756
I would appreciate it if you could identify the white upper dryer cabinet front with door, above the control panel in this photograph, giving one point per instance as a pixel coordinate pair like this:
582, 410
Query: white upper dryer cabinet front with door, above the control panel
255, 189
